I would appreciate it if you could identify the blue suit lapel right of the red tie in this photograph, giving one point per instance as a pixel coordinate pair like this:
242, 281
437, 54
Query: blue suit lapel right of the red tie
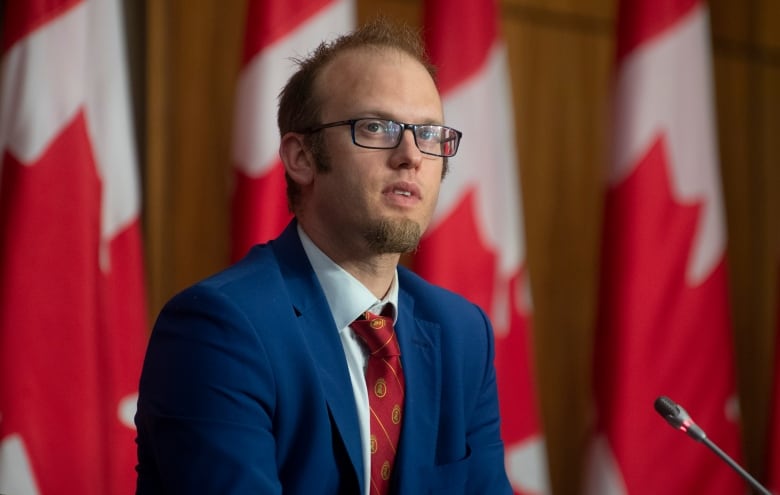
421, 360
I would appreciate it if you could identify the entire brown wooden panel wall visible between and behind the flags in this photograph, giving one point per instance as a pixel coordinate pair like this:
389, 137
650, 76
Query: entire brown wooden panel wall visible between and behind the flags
560, 54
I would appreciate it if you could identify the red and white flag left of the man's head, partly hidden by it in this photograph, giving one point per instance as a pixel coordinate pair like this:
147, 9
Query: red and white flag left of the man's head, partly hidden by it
276, 31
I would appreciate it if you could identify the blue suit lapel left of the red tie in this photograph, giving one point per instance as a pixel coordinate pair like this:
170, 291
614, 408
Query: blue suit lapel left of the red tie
322, 338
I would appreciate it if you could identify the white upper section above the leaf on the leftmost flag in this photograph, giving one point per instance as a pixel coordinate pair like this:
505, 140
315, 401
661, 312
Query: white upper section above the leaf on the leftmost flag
55, 72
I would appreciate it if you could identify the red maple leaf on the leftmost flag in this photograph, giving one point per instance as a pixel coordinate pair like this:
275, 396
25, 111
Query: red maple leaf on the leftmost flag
71, 336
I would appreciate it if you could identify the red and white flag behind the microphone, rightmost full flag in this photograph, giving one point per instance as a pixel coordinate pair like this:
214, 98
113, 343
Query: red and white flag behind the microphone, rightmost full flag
664, 319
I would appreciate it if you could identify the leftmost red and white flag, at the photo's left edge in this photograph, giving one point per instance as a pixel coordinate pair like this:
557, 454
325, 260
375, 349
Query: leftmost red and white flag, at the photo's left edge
72, 304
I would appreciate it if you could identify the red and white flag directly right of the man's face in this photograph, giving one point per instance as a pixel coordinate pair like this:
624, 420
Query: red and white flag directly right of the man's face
475, 245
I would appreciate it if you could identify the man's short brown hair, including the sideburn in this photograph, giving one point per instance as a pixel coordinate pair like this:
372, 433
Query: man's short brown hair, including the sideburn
300, 107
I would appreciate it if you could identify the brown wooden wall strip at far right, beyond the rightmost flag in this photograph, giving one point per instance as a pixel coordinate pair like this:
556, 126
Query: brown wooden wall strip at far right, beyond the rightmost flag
747, 70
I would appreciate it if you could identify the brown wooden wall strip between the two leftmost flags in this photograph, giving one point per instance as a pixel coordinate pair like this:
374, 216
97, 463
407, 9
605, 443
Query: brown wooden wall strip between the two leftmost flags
193, 53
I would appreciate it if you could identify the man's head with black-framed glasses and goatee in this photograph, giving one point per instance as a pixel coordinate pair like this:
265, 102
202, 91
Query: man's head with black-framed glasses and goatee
337, 179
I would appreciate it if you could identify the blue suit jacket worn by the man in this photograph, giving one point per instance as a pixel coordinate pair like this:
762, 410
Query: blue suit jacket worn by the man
245, 389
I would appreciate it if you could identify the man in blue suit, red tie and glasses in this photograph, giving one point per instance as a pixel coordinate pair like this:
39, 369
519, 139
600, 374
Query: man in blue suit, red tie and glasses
255, 379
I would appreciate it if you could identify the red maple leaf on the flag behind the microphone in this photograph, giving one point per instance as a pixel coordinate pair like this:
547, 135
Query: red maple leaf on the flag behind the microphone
658, 335
